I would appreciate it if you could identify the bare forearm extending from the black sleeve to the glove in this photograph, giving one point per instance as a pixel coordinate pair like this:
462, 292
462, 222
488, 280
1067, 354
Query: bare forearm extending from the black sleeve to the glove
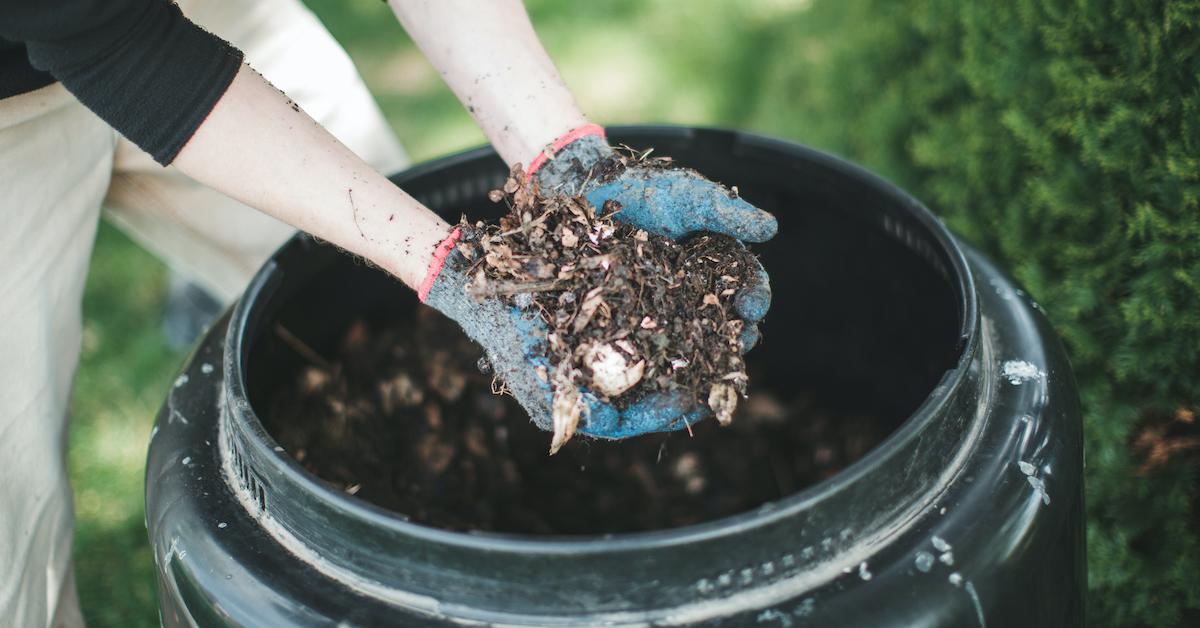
262, 149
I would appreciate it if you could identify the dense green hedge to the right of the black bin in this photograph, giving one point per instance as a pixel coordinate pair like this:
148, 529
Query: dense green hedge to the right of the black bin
1065, 139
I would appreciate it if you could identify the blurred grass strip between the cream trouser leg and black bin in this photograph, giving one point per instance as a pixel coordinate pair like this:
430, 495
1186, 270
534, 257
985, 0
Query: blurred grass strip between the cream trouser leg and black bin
124, 370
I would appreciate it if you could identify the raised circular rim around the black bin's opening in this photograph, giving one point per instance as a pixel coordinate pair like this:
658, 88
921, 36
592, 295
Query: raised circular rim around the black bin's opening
266, 447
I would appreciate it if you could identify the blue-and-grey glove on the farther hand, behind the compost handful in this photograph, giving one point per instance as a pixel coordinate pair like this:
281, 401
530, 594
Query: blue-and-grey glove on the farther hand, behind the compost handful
668, 202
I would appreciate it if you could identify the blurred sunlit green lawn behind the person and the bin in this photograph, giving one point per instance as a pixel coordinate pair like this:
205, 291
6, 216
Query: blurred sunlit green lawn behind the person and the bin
627, 62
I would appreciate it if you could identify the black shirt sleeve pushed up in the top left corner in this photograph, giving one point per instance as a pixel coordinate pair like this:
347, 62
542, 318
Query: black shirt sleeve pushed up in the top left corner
141, 65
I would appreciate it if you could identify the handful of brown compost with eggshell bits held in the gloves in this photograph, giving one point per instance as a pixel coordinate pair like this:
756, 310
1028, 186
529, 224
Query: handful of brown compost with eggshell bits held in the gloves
628, 313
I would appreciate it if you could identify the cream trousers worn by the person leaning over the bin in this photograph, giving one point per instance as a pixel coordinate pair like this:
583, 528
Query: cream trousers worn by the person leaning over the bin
59, 165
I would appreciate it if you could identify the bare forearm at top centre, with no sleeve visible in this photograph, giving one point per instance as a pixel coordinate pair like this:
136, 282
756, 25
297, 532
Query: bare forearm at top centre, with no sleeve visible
491, 58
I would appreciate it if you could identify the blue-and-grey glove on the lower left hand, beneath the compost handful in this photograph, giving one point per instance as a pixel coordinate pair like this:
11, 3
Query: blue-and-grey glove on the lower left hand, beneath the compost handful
512, 337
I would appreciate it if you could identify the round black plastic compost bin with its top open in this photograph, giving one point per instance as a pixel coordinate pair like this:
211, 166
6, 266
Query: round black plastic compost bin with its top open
968, 512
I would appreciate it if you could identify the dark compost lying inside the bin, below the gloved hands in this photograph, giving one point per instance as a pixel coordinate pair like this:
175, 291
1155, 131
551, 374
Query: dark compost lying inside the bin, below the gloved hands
404, 418
